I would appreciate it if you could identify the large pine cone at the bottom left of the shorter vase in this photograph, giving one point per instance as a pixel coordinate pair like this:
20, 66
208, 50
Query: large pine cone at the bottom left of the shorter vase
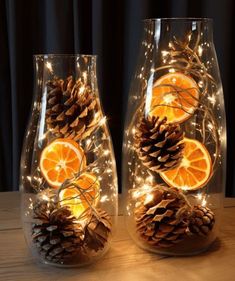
56, 234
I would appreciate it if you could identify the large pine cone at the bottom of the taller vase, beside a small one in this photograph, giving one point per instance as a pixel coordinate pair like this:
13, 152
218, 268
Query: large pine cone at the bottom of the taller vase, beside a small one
162, 216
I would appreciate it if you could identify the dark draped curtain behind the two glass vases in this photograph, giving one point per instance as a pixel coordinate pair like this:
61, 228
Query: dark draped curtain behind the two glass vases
110, 29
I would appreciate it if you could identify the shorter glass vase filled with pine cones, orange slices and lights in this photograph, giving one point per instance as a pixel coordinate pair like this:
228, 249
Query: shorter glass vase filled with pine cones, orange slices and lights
68, 173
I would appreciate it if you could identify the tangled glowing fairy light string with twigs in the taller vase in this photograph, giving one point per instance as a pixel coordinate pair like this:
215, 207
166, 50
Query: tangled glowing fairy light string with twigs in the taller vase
180, 57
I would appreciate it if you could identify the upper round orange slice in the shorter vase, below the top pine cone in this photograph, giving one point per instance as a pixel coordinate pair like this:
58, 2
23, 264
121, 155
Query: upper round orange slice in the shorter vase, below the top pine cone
60, 160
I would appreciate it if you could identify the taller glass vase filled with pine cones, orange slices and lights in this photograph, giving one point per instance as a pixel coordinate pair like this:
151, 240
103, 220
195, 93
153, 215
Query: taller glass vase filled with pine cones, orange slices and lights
174, 149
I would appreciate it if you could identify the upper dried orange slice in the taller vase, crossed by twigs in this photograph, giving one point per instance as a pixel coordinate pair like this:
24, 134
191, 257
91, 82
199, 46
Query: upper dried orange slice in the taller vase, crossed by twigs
174, 95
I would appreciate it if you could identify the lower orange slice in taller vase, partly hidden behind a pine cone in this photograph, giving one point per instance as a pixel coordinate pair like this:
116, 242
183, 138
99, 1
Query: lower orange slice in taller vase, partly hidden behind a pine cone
194, 170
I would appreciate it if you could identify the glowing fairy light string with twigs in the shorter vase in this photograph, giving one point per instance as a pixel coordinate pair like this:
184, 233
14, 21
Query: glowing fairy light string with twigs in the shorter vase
90, 146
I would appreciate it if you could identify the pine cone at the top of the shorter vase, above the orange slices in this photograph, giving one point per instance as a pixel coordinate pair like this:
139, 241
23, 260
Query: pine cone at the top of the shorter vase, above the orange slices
72, 109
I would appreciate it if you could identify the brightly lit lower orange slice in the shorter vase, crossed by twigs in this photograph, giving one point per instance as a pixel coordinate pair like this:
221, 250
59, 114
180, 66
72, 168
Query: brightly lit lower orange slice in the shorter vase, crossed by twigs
80, 196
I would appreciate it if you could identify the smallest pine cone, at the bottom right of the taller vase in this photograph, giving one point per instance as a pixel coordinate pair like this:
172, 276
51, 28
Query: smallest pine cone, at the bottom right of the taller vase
202, 220
